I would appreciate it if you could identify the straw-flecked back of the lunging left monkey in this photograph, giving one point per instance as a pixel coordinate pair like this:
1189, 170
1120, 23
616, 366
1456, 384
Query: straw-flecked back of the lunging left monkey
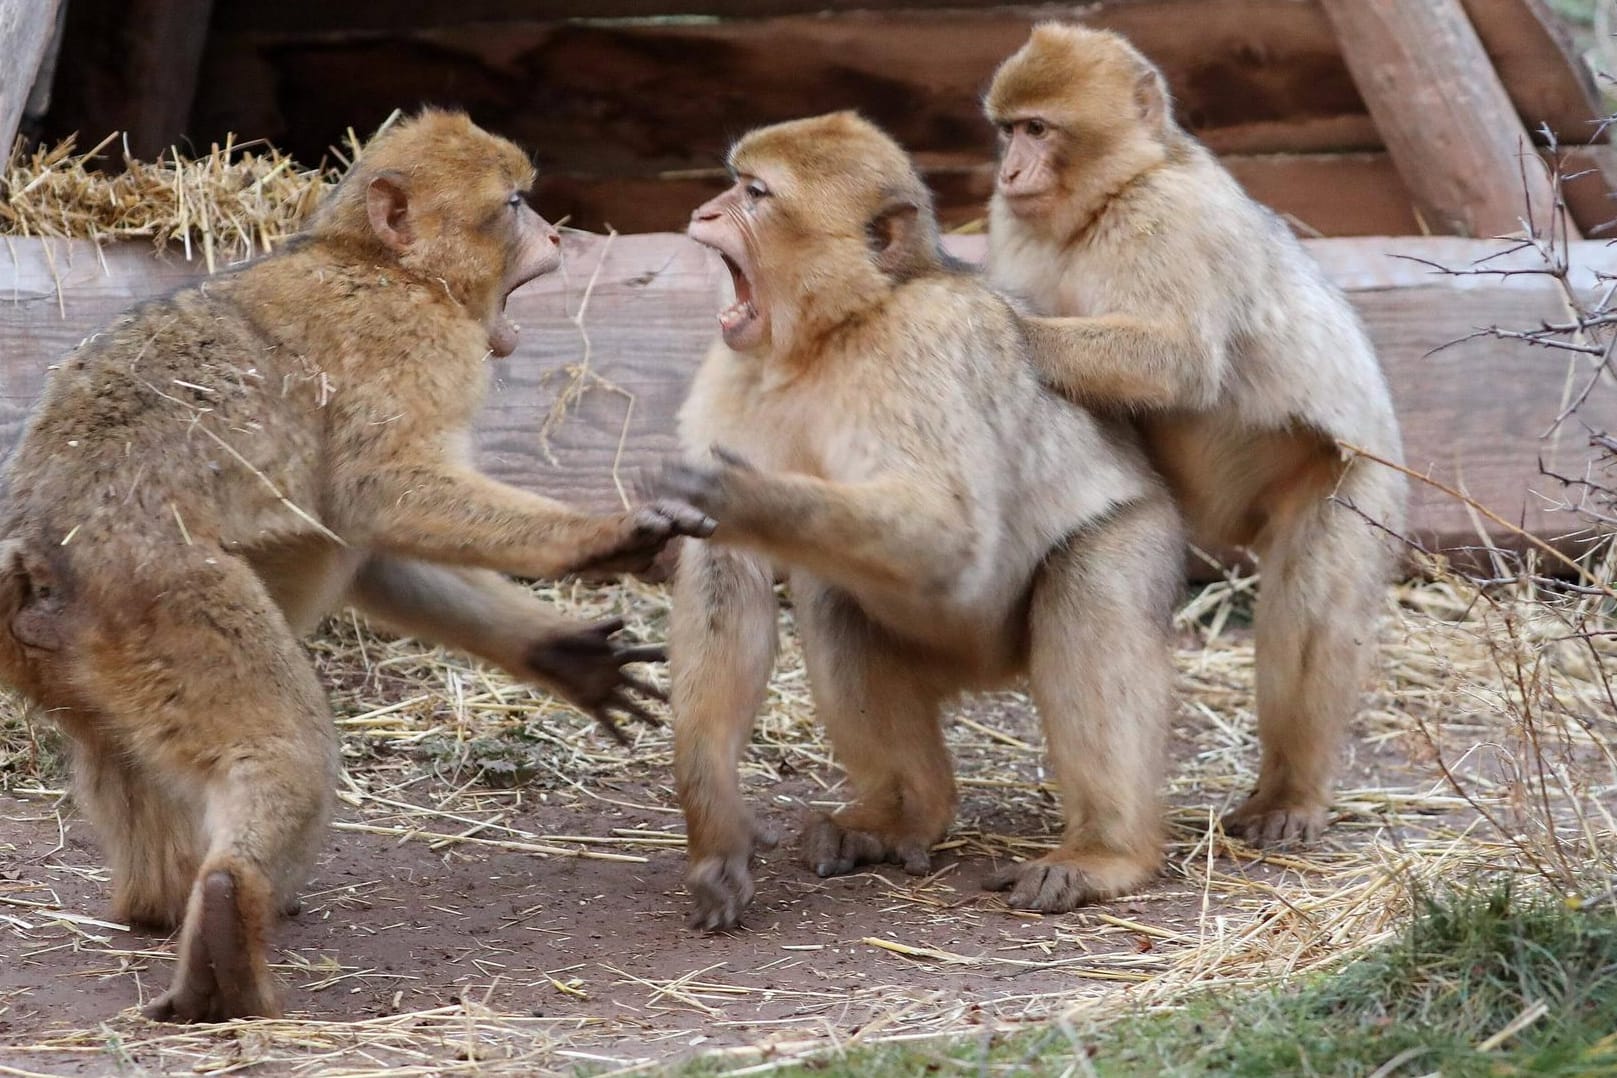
161, 418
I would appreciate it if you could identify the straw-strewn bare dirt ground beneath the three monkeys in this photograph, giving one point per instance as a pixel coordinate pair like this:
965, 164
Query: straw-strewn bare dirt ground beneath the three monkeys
437, 938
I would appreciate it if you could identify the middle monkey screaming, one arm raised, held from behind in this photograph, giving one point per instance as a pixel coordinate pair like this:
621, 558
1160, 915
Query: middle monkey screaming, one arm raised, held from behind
947, 524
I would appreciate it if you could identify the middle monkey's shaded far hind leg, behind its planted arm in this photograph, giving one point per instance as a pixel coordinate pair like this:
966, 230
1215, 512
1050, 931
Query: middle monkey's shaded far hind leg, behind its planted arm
882, 714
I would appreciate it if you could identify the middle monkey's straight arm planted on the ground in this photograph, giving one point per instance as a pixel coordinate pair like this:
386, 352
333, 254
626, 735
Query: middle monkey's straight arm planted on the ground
722, 647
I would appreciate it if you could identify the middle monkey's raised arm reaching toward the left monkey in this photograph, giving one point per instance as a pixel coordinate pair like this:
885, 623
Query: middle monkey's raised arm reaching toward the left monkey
859, 536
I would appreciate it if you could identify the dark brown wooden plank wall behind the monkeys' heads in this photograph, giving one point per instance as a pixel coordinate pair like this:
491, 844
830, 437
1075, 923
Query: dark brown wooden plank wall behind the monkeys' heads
628, 104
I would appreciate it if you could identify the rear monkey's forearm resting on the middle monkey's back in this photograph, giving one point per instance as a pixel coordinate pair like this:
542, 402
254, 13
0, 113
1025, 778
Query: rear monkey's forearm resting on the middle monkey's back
1123, 361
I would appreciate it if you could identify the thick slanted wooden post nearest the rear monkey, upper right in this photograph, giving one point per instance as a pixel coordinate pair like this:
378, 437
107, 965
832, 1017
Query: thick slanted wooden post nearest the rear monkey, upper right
1443, 114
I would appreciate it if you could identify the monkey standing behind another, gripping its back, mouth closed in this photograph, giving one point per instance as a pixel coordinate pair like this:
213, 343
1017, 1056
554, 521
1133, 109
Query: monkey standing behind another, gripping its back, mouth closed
1194, 310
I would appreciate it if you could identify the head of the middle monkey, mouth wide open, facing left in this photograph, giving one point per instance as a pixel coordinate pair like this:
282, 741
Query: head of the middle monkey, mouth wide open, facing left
827, 216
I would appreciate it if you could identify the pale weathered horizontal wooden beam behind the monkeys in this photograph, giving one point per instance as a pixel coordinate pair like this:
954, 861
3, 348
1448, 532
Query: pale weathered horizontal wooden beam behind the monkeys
1474, 415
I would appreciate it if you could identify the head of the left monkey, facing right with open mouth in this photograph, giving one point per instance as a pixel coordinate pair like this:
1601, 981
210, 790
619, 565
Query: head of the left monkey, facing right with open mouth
442, 198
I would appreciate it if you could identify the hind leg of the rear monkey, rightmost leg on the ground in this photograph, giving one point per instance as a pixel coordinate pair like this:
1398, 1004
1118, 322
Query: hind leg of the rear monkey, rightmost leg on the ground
1319, 602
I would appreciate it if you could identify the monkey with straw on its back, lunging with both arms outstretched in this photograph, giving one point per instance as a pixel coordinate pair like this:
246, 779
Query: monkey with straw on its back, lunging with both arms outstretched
213, 473
